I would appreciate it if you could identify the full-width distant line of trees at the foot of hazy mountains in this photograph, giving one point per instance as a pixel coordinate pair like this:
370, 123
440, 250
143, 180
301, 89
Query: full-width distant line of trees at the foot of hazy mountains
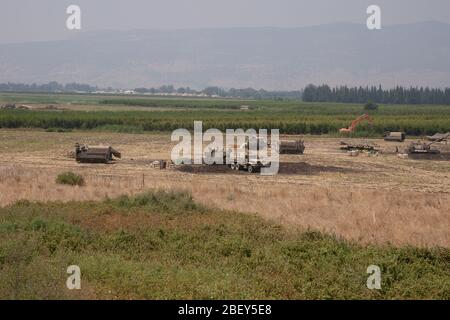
311, 93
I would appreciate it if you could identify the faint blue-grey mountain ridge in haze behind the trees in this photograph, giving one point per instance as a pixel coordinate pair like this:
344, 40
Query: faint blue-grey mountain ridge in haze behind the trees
272, 58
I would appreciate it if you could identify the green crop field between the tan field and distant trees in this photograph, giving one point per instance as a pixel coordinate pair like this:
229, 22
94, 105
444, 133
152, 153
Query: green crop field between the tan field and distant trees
291, 117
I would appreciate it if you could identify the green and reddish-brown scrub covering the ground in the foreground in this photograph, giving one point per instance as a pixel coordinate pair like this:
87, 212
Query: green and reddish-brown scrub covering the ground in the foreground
164, 245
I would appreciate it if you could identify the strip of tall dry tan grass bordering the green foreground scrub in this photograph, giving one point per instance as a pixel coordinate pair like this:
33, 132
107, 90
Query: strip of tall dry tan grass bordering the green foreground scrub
365, 215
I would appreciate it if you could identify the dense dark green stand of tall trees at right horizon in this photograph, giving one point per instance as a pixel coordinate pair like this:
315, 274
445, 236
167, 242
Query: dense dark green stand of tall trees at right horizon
397, 95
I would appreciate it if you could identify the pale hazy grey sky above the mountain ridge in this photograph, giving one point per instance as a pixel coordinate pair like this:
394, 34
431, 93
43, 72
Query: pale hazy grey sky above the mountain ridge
28, 20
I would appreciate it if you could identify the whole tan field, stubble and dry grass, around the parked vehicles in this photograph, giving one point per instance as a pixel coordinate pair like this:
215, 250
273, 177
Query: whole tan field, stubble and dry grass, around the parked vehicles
372, 199
